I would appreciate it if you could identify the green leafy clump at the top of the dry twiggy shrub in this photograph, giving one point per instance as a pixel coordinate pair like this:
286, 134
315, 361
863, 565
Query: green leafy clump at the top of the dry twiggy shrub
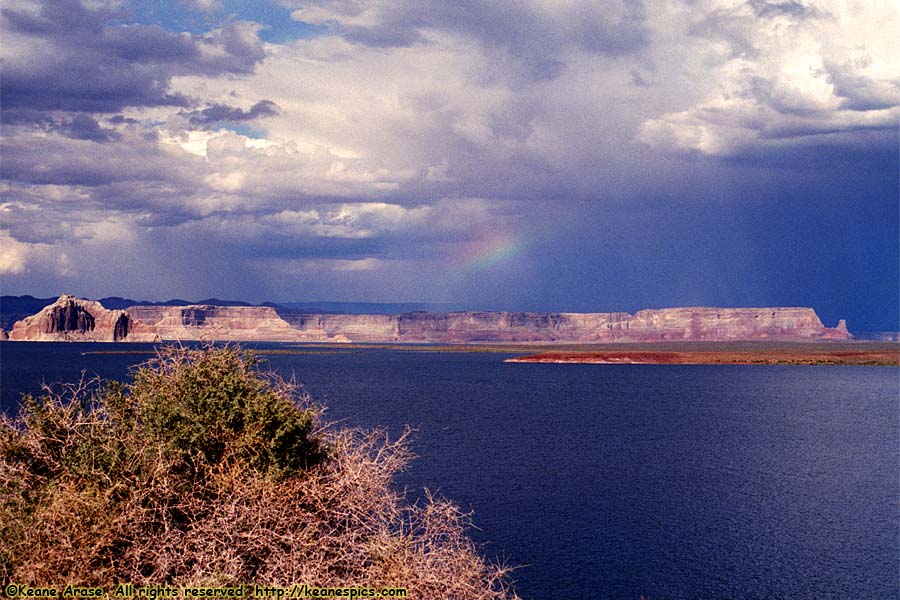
213, 407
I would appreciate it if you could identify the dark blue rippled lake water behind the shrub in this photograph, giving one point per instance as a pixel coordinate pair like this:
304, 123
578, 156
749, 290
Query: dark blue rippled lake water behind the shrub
616, 481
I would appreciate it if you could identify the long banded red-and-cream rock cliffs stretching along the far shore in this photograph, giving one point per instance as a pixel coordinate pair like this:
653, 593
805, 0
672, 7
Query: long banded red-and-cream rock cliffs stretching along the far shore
72, 319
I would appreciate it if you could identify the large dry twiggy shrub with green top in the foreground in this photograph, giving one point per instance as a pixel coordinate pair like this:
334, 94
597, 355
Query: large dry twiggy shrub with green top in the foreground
203, 470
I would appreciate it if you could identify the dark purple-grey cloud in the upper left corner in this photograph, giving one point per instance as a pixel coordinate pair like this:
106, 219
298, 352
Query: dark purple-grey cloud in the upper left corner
87, 64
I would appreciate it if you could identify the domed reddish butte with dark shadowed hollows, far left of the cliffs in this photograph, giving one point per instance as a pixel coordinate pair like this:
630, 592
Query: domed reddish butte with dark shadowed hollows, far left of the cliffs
77, 320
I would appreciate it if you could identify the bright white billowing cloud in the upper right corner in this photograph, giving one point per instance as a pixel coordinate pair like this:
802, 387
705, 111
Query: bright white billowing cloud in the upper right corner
770, 76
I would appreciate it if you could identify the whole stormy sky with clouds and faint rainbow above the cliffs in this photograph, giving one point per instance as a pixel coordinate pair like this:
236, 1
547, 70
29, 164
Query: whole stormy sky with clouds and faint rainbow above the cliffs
542, 155
